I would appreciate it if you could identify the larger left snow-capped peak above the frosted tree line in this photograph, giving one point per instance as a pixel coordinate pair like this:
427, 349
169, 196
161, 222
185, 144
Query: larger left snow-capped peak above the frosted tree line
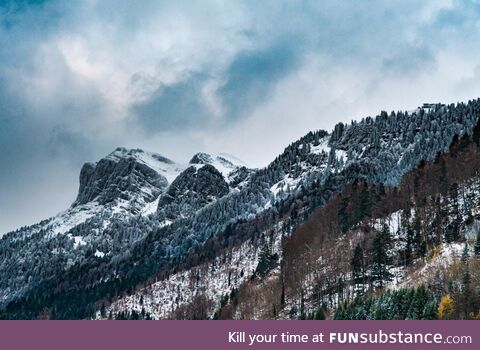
124, 183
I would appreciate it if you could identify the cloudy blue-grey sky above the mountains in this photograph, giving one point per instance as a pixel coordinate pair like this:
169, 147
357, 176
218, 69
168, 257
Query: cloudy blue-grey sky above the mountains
80, 78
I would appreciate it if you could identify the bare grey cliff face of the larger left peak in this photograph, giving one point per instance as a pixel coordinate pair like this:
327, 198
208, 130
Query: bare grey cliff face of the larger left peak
121, 175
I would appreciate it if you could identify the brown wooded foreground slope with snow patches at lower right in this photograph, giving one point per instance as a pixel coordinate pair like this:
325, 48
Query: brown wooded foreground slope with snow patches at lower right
424, 223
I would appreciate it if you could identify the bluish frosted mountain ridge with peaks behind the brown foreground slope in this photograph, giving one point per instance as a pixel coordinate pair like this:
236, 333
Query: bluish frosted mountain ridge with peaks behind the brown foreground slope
120, 251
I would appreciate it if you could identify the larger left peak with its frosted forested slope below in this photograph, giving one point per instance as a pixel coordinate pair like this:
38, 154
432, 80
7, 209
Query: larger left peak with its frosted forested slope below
123, 186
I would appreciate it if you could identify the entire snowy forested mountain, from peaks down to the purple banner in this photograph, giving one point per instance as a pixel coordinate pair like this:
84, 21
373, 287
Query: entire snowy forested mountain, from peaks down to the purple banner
331, 219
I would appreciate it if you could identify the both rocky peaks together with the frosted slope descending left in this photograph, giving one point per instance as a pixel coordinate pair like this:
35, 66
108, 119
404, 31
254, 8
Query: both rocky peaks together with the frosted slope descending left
124, 185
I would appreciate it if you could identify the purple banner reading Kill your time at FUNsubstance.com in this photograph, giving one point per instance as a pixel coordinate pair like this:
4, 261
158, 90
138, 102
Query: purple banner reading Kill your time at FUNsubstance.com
235, 335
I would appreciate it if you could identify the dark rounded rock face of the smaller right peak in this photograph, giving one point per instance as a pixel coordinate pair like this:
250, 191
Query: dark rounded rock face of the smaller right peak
192, 189
